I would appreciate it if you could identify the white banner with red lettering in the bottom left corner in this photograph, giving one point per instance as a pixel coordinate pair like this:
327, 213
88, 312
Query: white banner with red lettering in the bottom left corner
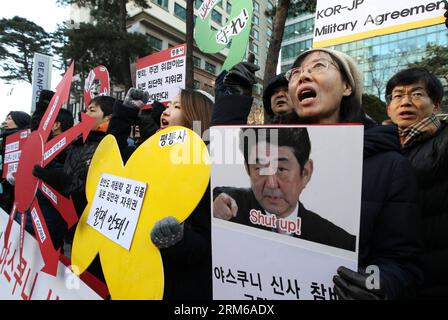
23, 280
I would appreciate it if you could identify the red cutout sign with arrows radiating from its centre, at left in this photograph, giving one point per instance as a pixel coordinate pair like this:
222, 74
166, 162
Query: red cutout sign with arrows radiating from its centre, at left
37, 150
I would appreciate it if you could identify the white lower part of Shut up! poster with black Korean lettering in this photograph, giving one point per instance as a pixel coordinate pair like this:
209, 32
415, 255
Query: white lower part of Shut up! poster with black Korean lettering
248, 265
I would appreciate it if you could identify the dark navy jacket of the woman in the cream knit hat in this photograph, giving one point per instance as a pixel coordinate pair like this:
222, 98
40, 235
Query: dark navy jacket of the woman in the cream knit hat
390, 218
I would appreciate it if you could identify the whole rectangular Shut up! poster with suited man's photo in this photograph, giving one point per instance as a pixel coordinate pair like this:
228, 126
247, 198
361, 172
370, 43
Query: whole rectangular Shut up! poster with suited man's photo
290, 223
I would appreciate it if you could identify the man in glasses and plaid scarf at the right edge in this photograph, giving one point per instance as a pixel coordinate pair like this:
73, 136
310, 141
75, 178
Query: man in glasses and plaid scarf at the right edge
414, 98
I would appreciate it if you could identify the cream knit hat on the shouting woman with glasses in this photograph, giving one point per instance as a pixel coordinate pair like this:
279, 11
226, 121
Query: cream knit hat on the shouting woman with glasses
349, 68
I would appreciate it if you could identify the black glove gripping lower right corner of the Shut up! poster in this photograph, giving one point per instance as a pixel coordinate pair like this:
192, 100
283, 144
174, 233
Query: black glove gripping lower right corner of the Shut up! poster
351, 285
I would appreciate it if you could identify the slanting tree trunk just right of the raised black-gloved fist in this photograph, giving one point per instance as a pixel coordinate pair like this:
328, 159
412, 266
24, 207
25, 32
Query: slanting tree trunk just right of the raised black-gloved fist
276, 40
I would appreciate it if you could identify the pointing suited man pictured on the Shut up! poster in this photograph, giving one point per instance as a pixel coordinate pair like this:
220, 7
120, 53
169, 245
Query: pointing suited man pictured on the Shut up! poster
279, 169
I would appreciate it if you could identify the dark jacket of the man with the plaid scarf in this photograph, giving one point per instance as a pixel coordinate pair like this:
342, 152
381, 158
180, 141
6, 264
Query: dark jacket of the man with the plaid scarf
430, 161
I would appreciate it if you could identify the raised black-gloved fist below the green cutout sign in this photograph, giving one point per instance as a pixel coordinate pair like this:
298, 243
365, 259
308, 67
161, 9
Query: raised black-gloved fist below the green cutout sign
239, 80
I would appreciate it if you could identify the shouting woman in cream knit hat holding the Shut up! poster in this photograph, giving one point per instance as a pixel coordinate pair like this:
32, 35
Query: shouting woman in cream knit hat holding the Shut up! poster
326, 87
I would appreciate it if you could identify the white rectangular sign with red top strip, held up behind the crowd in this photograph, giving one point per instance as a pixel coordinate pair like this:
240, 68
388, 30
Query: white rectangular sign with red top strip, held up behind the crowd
162, 74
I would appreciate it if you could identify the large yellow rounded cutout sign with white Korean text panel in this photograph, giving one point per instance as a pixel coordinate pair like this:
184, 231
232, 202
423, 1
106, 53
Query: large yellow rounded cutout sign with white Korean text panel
176, 154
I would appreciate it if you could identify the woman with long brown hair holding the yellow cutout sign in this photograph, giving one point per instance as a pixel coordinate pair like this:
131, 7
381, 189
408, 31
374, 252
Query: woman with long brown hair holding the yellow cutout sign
185, 248
